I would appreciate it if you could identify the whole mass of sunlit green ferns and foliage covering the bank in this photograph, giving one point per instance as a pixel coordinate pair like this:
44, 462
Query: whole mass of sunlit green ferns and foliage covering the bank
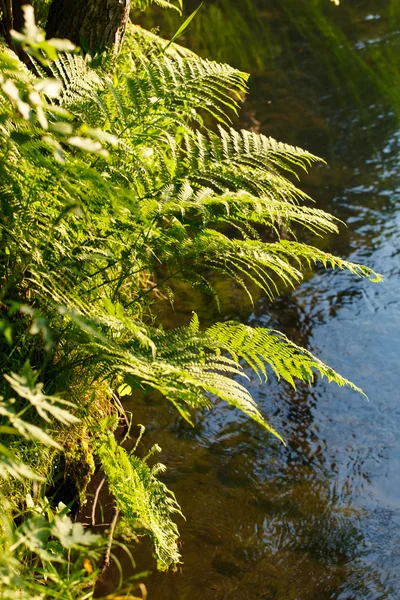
114, 180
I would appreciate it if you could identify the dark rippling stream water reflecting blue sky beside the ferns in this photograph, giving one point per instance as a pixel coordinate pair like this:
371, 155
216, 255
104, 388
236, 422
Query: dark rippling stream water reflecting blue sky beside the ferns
319, 519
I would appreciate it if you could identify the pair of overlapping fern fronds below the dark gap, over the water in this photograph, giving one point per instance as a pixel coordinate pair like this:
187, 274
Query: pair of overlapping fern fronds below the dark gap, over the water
188, 365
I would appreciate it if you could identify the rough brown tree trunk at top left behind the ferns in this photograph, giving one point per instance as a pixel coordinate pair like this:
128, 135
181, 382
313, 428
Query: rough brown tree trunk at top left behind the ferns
92, 24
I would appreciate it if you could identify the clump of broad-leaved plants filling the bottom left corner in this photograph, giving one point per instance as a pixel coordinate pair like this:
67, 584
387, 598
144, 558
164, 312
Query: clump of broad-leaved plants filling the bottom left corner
48, 556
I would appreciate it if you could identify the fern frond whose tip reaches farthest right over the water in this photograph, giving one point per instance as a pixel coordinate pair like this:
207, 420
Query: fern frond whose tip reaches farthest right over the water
266, 265
